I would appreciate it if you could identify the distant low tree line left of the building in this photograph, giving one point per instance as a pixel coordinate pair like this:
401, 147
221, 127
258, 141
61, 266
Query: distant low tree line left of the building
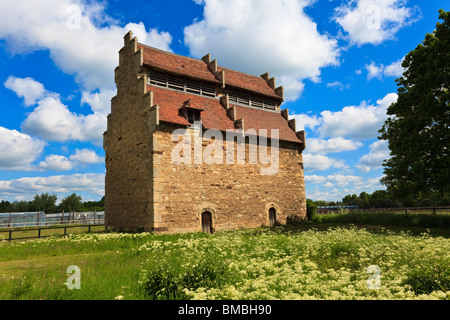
47, 203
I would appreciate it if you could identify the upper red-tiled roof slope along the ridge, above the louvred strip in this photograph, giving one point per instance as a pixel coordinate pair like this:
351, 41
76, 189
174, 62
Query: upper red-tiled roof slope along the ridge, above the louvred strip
194, 68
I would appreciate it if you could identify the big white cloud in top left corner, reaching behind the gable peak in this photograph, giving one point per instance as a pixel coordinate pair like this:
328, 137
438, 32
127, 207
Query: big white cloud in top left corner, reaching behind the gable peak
83, 41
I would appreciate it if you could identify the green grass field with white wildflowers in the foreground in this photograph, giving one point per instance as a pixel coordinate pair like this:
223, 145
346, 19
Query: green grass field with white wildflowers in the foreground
304, 261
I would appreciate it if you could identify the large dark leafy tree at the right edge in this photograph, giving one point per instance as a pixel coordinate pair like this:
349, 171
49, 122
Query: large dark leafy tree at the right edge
418, 126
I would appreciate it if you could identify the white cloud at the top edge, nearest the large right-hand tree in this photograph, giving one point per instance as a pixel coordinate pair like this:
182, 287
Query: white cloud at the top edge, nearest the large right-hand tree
373, 21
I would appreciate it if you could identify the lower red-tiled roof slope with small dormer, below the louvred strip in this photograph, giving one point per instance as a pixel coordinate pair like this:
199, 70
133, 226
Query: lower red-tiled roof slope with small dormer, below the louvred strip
214, 115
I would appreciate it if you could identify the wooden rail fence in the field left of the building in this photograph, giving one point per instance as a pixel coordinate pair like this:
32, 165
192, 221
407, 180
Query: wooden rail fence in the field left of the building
38, 219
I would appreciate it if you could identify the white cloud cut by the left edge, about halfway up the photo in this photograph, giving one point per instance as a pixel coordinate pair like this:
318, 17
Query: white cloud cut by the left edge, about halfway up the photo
18, 150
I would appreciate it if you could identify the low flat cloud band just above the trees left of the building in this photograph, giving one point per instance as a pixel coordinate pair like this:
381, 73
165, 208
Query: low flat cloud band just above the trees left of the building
91, 184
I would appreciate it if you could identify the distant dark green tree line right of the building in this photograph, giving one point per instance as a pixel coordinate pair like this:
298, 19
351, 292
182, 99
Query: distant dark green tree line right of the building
384, 199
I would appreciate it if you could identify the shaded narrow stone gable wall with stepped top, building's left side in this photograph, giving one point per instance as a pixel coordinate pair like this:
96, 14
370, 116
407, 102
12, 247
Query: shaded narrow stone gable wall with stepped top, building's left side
128, 146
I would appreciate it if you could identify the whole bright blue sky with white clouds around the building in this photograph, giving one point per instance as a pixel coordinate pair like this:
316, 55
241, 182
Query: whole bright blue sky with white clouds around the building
337, 60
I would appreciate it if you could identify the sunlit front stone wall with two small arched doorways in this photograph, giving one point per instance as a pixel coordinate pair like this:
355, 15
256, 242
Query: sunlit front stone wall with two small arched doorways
237, 195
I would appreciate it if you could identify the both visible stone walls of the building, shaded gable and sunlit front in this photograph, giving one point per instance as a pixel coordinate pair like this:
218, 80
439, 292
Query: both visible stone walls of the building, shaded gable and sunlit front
146, 190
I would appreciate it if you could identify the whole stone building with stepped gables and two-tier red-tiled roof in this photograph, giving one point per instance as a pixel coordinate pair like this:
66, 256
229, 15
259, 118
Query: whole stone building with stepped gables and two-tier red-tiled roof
159, 128
